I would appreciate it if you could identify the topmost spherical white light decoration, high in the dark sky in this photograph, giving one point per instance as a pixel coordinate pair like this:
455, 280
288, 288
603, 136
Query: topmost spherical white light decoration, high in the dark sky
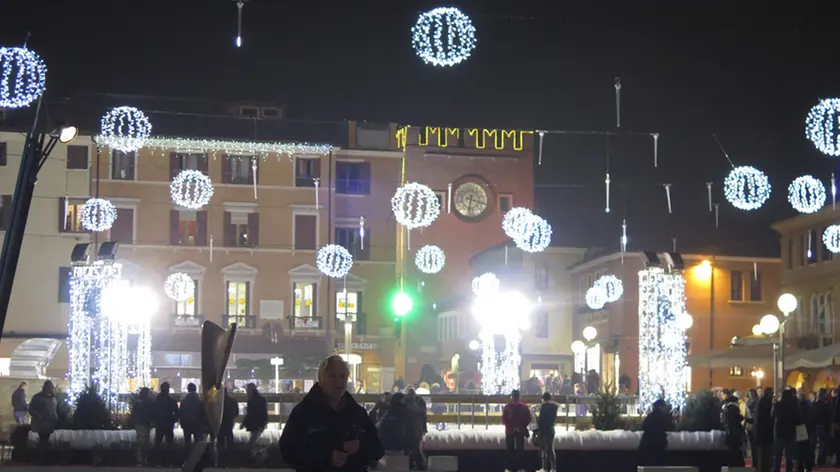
443, 37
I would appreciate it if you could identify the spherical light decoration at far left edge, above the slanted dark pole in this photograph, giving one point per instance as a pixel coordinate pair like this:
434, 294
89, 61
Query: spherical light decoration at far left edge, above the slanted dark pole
23, 77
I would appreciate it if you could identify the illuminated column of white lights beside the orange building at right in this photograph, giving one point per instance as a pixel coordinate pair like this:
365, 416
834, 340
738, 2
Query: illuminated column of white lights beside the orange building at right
662, 350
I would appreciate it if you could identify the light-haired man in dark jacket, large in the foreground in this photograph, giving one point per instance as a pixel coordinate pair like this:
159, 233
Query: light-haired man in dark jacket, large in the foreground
328, 430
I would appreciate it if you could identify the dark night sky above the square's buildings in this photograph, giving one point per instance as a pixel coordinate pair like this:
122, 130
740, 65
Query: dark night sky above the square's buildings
747, 75
